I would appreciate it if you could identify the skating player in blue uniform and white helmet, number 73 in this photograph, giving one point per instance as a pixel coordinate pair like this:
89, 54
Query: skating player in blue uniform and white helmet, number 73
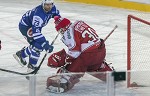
30, 26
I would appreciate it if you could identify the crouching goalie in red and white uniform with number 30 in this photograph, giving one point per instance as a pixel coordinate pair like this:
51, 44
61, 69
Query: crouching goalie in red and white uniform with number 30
86, 53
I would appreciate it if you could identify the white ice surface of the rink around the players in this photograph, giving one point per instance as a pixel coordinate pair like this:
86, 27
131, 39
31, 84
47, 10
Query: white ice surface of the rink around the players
101, 18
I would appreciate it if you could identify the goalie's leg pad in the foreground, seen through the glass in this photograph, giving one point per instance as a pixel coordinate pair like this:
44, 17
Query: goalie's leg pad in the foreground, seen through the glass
61, 83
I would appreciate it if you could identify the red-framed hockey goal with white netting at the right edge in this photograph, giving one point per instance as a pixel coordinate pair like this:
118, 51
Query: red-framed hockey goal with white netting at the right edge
138, 52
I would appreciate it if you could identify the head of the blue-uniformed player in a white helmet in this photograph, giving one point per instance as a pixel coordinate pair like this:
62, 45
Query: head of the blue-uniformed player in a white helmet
47, 5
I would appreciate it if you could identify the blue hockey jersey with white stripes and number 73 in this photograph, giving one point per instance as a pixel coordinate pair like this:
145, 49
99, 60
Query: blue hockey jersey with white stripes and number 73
36, 19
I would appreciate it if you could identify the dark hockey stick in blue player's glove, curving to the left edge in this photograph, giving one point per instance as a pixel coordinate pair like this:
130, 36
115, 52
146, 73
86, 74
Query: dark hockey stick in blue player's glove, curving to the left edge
35, 71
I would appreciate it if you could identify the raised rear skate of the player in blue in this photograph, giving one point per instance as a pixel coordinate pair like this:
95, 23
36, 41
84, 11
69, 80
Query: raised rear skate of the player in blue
19, 59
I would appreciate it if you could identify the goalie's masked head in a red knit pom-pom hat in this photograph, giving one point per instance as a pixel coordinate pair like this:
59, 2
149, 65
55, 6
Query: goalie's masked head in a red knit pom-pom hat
61, 24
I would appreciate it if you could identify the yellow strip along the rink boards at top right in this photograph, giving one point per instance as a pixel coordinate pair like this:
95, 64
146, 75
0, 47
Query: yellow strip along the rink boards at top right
127, 4
